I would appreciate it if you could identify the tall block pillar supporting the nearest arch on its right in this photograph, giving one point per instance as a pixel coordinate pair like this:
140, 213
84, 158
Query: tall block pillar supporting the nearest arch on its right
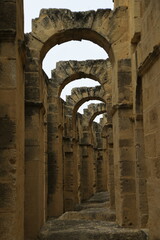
124, 162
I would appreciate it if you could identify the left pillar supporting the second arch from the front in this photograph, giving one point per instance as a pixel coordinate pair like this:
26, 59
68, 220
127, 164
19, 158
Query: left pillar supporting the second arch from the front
55, 155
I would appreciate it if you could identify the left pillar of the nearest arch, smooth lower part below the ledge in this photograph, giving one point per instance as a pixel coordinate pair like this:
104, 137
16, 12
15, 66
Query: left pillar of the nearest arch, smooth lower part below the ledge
34, 170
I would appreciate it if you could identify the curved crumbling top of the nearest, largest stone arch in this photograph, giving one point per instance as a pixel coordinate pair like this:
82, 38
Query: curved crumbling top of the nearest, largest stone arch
55, 26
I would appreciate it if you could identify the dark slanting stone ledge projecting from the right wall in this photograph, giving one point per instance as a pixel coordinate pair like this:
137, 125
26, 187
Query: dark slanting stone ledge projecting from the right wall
149, 61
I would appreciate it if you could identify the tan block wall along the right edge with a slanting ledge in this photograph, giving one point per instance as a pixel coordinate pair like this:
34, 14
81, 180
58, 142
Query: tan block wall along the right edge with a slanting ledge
146, 64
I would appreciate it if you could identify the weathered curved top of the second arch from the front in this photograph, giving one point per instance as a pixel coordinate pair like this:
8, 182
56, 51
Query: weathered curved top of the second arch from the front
68, 71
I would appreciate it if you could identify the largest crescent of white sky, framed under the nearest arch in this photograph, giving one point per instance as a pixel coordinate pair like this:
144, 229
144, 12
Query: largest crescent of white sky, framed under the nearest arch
72, 50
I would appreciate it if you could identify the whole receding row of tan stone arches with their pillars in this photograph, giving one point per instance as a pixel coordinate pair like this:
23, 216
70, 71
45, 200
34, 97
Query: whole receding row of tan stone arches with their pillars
60, 143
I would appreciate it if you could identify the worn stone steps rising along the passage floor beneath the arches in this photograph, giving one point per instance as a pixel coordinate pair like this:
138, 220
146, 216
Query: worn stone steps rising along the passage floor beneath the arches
92, 220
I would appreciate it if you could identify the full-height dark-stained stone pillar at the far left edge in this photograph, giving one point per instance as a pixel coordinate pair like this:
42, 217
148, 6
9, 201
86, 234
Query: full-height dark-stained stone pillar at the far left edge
11, 121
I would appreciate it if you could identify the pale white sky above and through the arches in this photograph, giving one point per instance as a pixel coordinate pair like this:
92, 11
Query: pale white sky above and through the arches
73, 50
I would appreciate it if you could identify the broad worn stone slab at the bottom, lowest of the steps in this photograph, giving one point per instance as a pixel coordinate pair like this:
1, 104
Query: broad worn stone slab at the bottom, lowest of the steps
85, 230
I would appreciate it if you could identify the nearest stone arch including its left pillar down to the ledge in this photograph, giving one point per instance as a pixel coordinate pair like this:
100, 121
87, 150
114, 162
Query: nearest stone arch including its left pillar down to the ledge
56, 26
